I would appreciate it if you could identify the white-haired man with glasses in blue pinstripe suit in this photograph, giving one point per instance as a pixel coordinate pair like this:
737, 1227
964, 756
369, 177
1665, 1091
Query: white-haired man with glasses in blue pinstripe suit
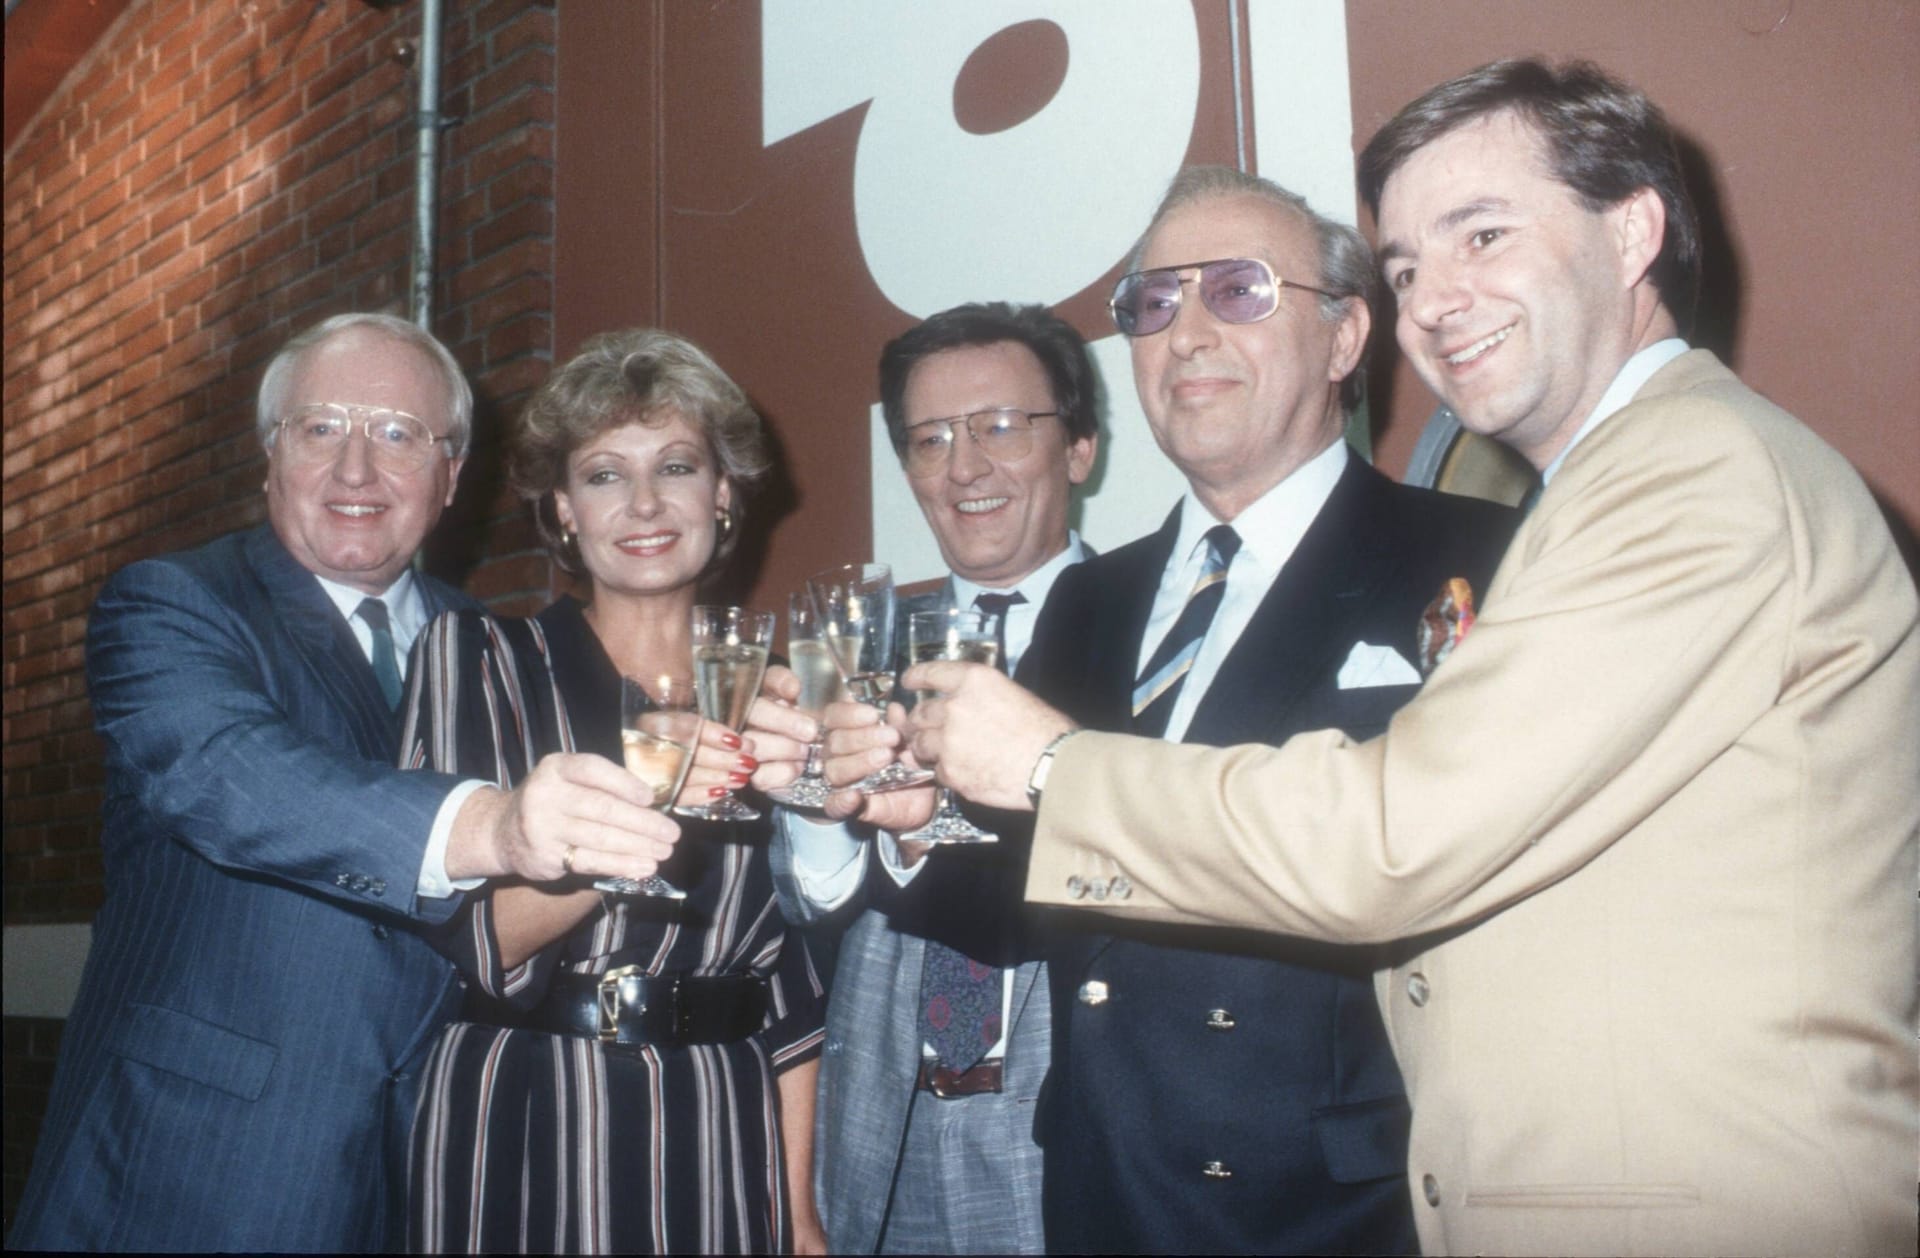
239, 1067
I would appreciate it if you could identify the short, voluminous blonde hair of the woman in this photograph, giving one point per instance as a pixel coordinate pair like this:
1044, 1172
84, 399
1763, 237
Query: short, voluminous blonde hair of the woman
623, 379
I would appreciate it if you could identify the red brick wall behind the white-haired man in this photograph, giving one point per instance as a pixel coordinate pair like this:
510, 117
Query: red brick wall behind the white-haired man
210, 180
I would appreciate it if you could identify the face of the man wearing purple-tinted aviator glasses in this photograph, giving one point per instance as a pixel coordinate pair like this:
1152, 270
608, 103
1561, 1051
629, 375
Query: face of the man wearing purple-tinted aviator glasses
1239, 406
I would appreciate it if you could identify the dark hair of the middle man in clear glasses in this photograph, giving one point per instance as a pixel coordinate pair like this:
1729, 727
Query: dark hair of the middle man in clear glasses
1053, 341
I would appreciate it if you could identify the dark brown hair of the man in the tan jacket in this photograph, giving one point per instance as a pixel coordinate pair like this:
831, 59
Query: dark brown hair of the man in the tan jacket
1604, 139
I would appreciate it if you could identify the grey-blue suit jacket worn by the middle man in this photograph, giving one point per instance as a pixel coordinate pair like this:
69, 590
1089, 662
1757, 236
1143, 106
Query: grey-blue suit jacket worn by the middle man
873, 1048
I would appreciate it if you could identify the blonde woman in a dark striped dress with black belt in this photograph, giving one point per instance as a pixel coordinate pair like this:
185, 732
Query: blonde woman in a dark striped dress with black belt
692, 1132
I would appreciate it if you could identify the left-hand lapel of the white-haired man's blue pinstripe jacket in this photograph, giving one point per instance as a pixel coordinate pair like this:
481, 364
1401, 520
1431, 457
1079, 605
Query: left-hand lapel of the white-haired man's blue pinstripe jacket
329, 656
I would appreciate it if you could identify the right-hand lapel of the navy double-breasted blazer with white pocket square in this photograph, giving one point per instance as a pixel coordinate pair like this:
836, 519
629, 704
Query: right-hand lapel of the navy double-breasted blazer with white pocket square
1303, 629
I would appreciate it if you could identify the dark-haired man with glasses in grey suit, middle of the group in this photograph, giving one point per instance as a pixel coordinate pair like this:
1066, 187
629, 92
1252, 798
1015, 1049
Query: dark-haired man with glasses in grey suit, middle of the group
926, 1146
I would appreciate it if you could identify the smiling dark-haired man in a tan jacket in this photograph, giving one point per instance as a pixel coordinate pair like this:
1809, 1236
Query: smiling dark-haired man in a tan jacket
1648, 836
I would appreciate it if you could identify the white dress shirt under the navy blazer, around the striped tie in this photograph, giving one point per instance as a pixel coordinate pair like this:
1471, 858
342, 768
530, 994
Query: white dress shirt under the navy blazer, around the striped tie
1270, 531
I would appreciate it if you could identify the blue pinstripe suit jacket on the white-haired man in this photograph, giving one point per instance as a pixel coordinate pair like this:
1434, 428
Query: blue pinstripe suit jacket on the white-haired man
241, 1055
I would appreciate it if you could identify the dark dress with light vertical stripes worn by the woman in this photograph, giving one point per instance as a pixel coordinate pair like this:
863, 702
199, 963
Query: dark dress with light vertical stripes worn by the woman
550, 1144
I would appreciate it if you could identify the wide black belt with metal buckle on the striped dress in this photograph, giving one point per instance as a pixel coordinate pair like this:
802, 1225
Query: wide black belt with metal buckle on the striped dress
631, 1007
